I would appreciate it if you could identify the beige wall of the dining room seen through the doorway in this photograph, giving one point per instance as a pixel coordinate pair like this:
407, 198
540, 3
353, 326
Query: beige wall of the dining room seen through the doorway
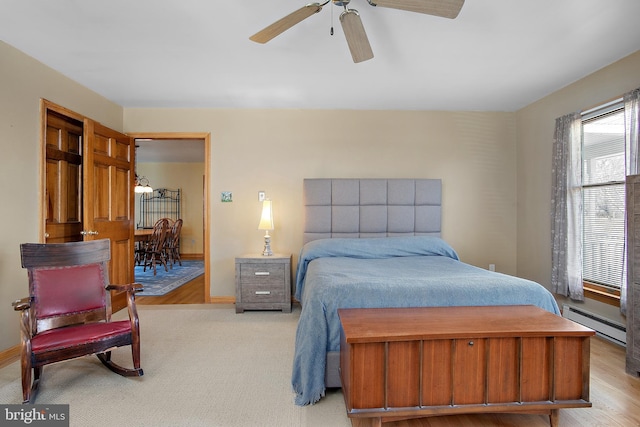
189, 178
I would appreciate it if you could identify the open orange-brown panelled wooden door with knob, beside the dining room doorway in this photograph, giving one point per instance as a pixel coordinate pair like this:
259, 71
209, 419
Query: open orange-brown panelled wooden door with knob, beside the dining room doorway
108, 198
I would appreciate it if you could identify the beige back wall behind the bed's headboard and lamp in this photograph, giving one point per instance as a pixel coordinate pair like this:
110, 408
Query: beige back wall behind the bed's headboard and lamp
274, 150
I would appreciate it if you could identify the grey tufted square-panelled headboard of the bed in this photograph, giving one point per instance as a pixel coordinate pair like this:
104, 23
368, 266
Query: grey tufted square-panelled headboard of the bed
371, 208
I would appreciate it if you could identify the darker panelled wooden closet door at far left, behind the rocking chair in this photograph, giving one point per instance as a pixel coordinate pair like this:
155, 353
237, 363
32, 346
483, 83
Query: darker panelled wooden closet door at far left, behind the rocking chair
63, 142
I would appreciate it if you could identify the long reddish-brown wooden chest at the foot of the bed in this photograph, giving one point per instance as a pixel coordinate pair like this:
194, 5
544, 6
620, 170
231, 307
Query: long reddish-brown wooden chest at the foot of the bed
398, 363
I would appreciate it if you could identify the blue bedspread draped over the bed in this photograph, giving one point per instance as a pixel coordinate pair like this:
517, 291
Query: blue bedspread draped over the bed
386, 272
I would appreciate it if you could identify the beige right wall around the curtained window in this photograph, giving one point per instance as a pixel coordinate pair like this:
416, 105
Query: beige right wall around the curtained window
535, 125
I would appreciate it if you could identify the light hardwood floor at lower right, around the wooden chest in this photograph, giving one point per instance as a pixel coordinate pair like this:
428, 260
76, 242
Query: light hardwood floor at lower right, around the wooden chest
614, 394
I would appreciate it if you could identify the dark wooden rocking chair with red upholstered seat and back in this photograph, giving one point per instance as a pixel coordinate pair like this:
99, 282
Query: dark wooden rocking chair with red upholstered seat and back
68, 311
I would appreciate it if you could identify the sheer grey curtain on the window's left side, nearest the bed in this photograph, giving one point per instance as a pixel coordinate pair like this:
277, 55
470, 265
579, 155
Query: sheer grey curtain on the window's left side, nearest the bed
566, 208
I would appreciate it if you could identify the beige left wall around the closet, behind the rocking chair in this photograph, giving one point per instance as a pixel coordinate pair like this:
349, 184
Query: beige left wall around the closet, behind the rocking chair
23, 81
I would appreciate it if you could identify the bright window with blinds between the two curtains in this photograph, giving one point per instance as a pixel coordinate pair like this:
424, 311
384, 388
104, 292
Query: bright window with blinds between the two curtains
603, 193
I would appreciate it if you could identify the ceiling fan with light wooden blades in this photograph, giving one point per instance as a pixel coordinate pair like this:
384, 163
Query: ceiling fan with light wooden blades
352, 24
